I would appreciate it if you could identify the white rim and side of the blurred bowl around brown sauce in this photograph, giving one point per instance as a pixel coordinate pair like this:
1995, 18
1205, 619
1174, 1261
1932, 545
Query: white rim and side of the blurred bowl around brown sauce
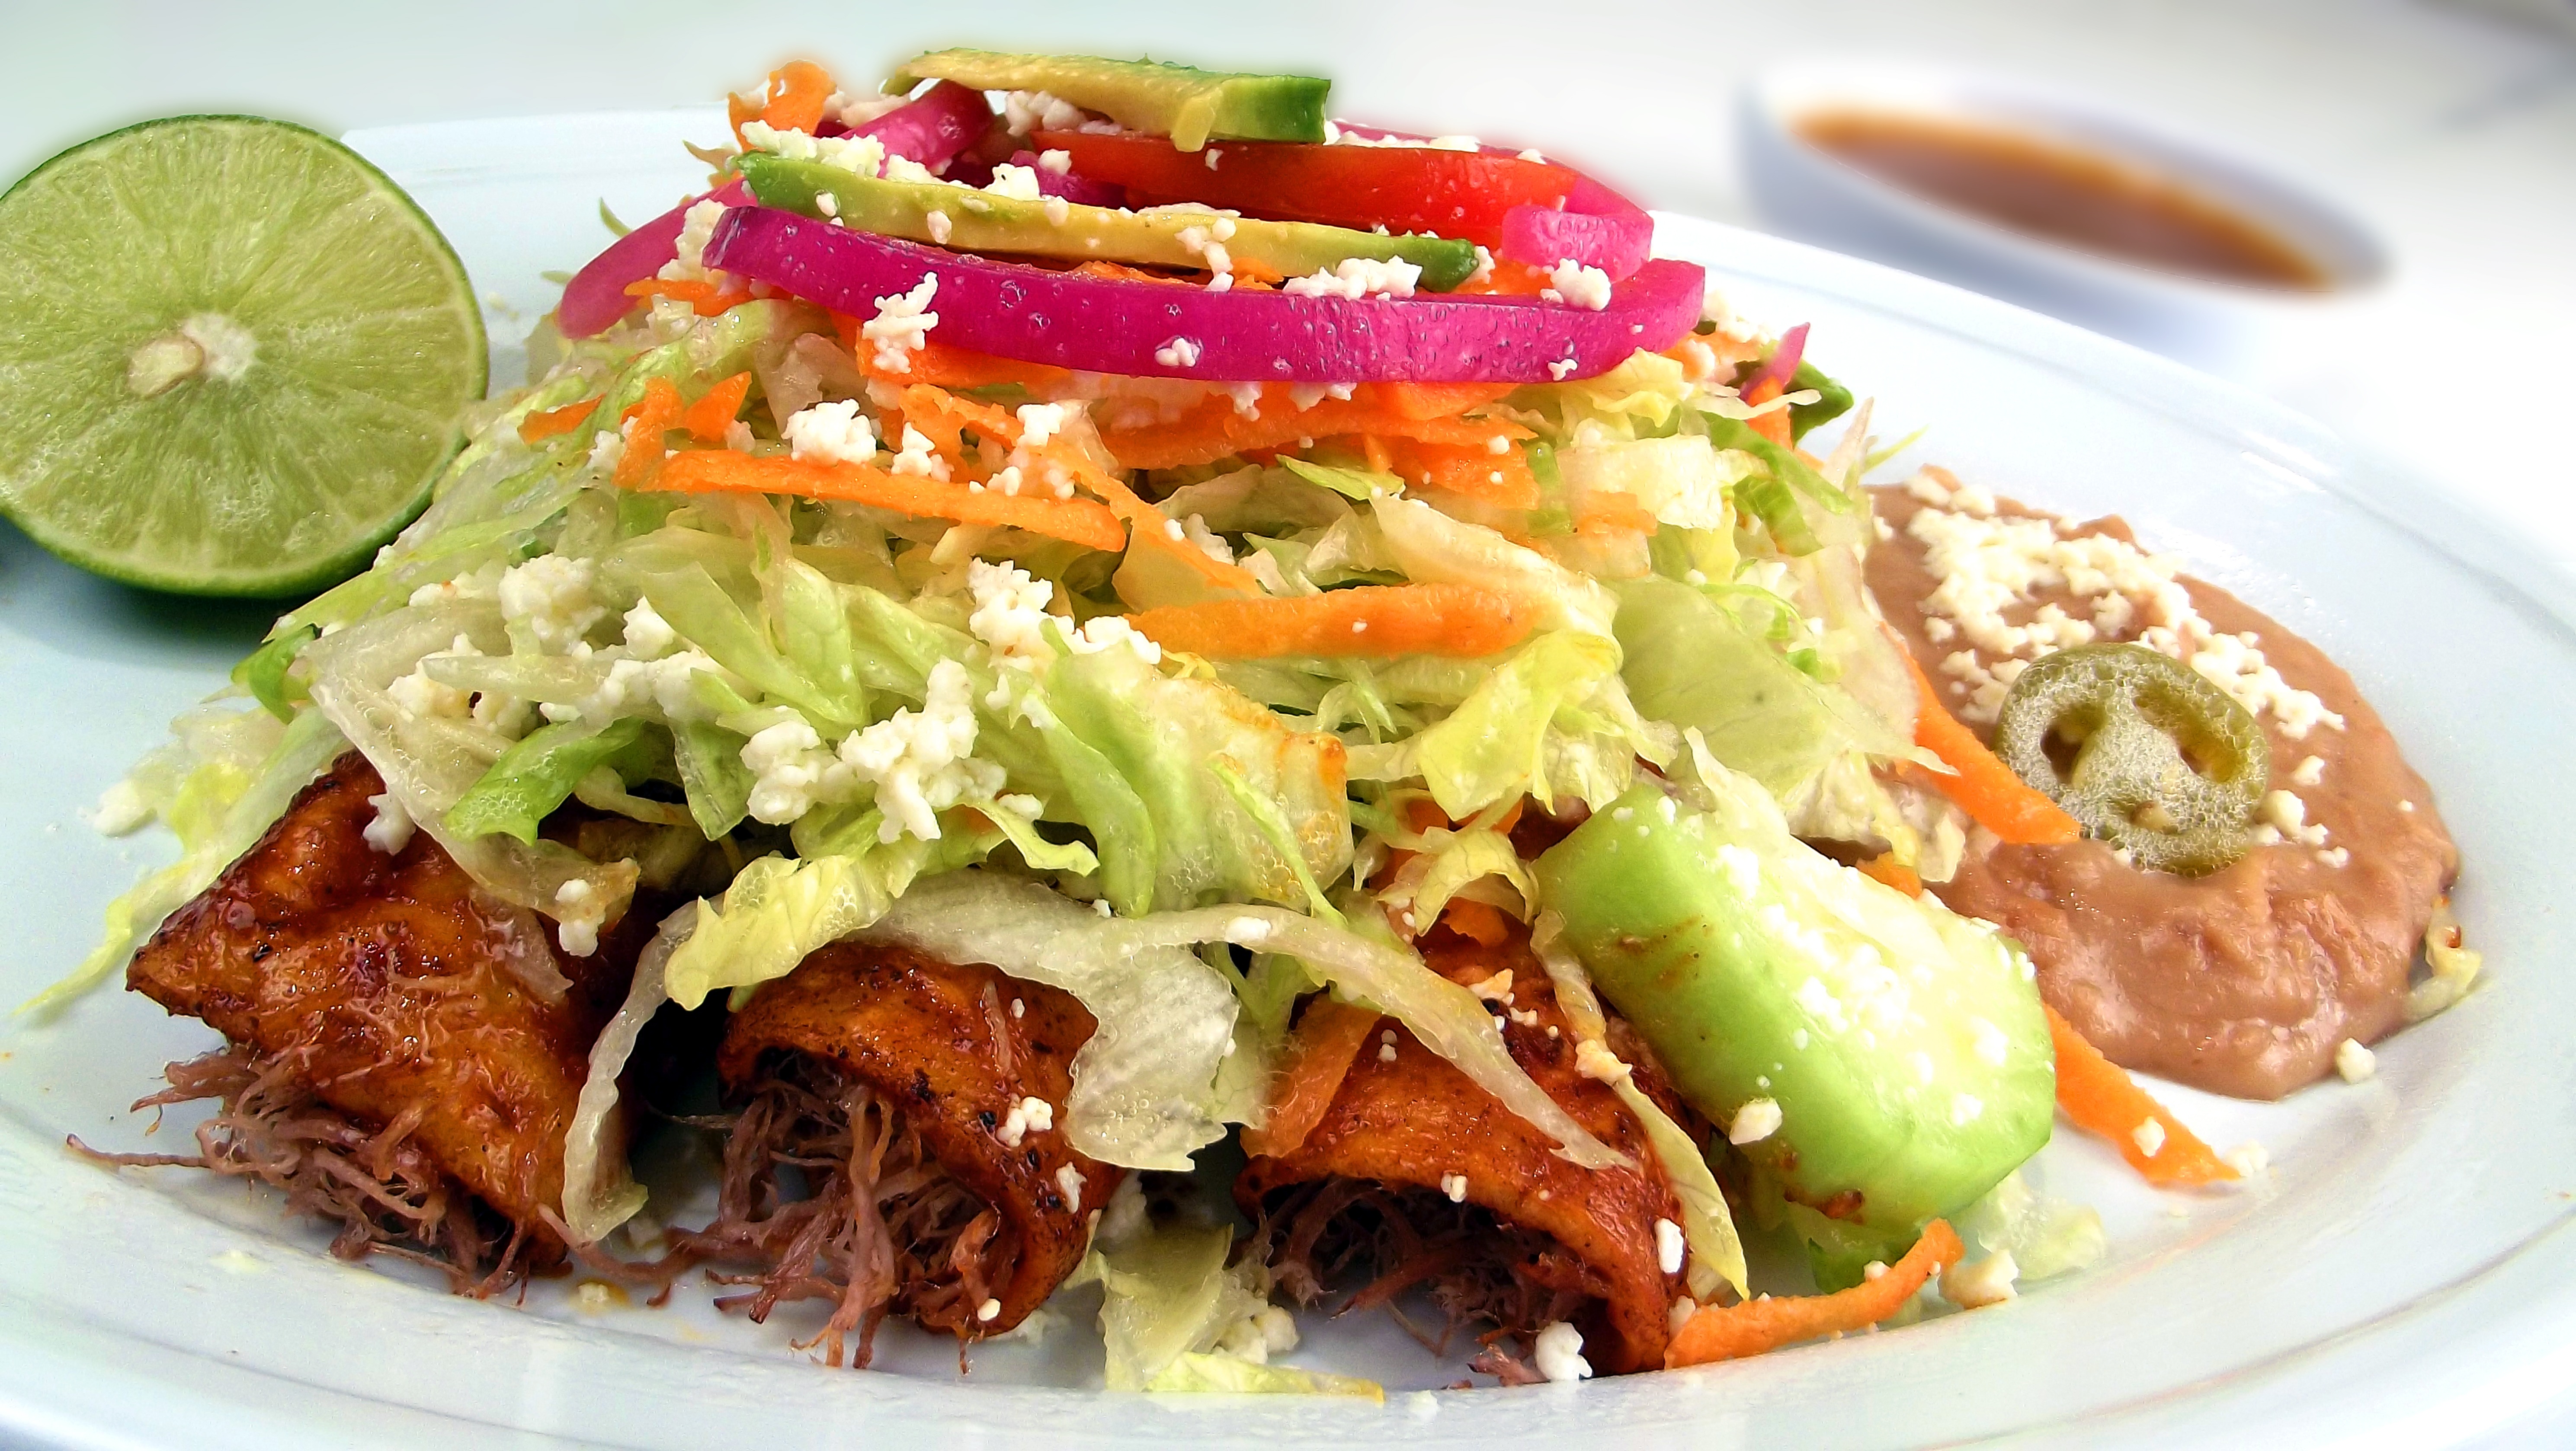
2219, 326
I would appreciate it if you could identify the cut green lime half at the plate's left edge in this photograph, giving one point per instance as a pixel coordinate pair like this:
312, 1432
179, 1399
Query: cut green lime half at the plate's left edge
233, 357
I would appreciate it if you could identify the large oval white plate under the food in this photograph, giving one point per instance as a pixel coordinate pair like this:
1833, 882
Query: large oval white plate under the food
2402, 1274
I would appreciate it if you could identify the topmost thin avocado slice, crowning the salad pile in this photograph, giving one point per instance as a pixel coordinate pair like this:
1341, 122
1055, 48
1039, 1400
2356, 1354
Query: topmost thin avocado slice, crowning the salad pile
1145, 97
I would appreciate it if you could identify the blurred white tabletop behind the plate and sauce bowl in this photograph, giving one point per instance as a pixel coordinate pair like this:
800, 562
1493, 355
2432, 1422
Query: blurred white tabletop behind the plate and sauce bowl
2451, 133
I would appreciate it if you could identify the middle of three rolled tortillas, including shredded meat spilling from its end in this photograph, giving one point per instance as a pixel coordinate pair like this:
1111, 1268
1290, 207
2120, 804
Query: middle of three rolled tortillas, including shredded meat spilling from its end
887, 1156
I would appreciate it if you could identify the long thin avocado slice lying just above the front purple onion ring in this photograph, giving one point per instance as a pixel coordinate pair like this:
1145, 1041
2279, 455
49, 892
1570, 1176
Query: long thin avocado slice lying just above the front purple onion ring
988, 223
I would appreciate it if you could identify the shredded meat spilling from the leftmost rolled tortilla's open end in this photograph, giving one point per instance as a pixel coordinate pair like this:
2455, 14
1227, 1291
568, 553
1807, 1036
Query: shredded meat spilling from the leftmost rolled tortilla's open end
383, 1187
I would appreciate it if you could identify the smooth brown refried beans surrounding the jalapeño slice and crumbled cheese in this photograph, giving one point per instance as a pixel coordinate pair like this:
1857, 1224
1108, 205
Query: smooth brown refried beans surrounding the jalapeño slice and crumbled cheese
2242, 981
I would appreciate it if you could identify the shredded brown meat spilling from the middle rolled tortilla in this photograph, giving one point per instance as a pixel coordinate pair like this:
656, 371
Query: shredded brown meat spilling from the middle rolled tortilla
836, 1197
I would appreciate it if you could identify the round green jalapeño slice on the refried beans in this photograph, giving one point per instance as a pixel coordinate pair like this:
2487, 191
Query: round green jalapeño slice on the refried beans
2142, 751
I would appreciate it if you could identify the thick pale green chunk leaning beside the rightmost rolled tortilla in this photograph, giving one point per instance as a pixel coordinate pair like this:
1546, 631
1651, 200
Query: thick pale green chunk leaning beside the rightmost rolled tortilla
1902, 1045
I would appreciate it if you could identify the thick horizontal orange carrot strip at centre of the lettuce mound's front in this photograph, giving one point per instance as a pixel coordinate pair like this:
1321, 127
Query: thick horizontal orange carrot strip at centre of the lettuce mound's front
1379, 622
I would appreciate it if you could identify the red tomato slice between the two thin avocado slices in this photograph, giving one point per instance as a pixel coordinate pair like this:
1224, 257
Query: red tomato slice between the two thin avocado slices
1403, 189
